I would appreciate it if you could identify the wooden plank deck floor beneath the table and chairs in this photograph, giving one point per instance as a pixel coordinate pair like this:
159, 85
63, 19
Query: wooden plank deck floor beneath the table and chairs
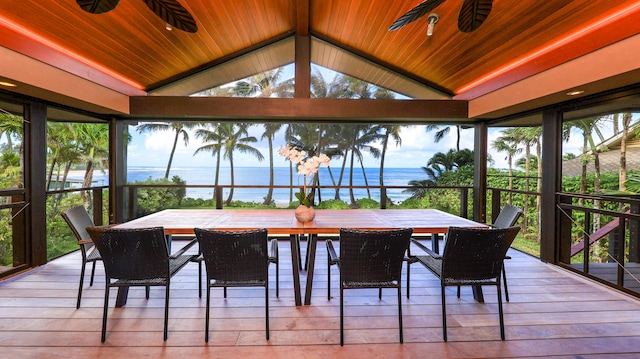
552, 314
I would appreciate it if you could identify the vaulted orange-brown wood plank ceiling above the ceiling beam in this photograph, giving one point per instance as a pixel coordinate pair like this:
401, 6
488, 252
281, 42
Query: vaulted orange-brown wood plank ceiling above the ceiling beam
131, 46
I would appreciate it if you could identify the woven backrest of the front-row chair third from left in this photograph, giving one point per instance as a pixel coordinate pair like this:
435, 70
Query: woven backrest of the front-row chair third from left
368, 256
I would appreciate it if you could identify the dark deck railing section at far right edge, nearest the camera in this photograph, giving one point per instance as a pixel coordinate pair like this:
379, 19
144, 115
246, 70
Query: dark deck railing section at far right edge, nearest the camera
600, 238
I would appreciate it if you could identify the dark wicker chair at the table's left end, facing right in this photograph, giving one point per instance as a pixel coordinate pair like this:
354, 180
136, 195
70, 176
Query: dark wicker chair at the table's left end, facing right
78, 220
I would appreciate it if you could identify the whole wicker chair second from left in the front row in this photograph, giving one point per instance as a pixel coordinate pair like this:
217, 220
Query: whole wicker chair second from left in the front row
237, 259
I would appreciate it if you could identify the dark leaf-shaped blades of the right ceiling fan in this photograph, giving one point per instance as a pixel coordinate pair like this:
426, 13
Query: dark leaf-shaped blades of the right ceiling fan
472, 14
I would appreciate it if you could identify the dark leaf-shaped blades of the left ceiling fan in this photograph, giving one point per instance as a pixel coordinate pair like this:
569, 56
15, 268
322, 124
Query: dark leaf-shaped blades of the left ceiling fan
170, 11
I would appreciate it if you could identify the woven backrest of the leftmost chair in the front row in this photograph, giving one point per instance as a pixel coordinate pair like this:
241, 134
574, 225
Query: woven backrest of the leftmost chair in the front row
132, 254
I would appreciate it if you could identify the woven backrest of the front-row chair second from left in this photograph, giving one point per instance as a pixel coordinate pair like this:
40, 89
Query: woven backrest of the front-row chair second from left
235, 256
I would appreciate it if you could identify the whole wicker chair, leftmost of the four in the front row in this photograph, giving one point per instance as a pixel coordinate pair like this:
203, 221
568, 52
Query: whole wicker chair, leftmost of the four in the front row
137, 257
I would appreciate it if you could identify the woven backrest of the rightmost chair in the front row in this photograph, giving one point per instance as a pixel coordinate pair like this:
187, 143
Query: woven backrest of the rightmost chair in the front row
475, 253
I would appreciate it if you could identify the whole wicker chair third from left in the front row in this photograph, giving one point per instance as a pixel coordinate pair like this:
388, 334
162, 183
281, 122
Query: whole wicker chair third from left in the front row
369, 259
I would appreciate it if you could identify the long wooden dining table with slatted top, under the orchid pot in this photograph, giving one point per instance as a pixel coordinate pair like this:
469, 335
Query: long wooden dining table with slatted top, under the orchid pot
283, 222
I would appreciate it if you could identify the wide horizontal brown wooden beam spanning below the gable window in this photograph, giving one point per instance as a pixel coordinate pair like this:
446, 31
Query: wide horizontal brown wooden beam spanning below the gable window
298, 109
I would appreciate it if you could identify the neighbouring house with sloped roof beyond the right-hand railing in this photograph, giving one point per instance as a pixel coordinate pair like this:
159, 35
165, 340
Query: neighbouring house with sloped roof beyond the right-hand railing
610, 158
